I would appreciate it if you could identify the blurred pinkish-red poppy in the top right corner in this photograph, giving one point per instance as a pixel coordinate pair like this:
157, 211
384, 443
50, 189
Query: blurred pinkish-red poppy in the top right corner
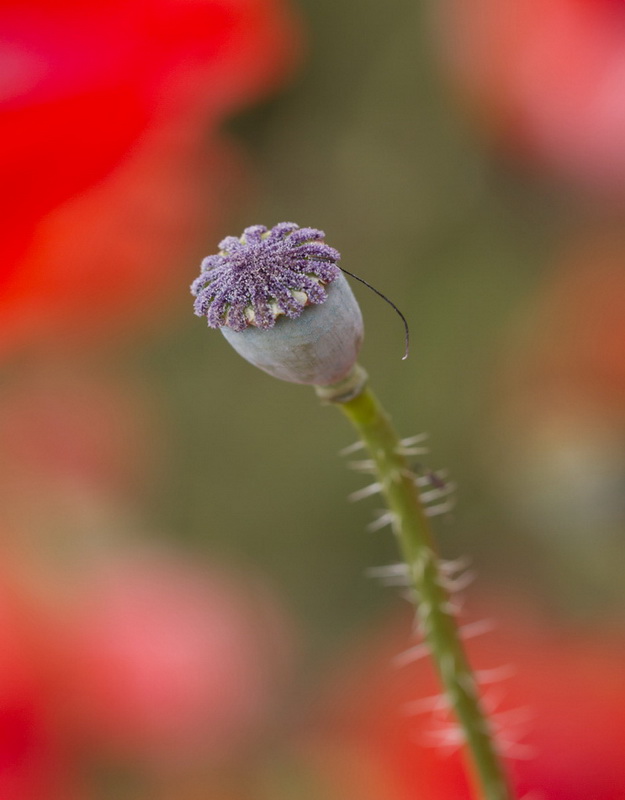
546, 79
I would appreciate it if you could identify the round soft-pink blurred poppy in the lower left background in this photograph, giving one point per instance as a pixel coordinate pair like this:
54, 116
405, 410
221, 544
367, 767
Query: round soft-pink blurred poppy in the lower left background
170, 662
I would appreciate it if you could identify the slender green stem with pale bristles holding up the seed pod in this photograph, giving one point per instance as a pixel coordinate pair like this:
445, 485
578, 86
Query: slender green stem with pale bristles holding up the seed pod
439, 626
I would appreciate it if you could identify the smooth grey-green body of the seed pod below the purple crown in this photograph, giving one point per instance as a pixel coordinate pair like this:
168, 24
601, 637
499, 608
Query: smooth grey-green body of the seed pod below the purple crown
319, 347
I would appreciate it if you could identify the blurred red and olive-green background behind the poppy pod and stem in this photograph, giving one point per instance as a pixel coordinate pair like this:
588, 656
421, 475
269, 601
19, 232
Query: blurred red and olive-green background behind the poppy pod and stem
184, 612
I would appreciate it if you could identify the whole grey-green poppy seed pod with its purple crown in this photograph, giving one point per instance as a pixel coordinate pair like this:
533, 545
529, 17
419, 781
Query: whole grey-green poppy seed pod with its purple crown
283, 304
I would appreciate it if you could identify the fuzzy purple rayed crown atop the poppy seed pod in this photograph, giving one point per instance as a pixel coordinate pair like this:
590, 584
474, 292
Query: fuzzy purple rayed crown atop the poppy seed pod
259, 272
